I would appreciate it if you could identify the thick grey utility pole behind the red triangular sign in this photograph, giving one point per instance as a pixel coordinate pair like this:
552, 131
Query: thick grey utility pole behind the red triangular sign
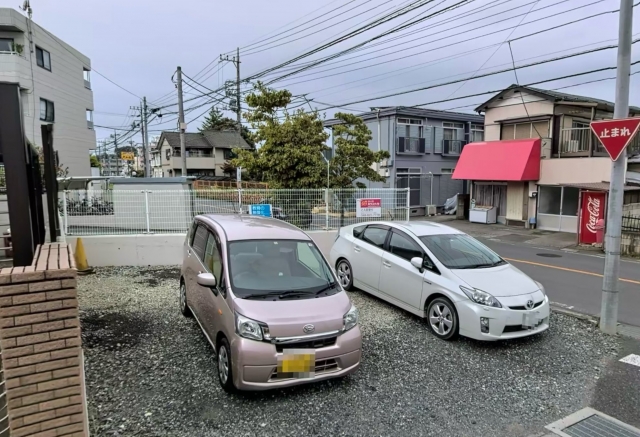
610, 283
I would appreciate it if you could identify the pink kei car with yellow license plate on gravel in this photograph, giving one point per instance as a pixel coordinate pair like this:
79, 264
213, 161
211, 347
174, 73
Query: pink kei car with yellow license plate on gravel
268, 302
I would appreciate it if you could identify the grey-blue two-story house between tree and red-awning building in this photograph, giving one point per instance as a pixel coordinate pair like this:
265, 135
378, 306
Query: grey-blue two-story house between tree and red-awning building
424, 145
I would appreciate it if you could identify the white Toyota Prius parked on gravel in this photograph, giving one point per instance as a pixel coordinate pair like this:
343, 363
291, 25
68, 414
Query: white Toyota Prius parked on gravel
439, 273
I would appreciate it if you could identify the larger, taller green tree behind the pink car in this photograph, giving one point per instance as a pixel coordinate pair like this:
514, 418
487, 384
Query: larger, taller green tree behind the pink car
291, 144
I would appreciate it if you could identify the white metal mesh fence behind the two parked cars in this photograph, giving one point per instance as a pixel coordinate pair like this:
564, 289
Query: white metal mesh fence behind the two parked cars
118, 212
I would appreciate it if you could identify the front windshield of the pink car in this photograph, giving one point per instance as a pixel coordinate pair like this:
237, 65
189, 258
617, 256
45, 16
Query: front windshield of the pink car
278, 268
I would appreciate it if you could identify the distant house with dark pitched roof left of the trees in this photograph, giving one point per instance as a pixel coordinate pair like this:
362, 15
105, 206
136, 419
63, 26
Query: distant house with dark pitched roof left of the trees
206, 153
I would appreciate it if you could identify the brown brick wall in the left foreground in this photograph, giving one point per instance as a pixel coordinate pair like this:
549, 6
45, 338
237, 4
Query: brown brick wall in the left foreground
41, 346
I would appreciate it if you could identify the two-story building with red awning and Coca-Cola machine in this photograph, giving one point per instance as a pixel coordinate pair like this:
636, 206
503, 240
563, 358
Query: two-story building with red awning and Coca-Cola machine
541, 163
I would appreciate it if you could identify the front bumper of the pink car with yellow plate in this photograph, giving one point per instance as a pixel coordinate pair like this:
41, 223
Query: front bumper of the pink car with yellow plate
255, 363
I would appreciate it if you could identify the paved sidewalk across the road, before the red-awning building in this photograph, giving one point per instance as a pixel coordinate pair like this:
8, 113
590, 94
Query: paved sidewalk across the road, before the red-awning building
512, 234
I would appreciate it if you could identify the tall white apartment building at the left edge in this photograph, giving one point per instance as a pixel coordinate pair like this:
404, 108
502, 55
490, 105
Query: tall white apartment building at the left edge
55, 86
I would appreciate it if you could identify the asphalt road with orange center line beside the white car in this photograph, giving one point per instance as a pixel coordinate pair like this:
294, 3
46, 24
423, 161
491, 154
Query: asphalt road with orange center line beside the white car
574, 280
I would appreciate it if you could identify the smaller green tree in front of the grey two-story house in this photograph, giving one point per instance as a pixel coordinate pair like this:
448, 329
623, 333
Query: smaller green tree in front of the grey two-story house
353, 158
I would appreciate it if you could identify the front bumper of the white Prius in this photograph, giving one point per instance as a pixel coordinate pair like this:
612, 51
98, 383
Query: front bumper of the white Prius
504, 323
